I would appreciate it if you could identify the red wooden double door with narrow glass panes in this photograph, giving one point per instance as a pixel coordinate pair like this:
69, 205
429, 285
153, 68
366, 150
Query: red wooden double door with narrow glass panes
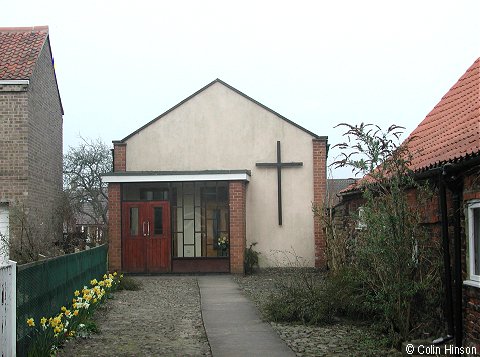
146, 237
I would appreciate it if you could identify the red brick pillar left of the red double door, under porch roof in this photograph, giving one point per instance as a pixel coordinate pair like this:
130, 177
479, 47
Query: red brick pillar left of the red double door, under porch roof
114, 228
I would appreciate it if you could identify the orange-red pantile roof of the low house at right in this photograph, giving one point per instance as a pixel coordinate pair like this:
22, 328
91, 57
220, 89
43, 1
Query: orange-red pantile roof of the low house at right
451, 131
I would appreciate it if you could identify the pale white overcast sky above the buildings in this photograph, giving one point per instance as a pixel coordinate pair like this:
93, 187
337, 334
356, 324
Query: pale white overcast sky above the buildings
318, 63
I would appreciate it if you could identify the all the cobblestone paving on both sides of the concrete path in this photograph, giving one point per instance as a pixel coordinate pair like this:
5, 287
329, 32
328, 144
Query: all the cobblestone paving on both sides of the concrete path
164, 319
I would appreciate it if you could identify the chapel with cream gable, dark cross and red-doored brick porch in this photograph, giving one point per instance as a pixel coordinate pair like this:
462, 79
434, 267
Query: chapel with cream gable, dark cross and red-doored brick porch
194, 187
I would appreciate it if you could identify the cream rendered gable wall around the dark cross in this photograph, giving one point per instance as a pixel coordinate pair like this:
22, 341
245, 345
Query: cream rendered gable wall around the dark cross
219, 129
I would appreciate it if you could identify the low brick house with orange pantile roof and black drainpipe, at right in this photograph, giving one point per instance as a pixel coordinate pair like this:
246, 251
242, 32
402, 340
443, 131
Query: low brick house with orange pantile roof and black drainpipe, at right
446, 151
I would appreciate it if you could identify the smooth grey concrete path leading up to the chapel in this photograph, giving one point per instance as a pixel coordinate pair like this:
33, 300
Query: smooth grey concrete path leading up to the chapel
232, 323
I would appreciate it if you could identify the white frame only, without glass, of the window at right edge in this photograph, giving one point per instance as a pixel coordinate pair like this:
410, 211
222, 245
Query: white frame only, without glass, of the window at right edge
473, 255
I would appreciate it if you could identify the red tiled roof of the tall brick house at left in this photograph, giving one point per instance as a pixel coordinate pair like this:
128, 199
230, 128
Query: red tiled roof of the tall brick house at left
19, 50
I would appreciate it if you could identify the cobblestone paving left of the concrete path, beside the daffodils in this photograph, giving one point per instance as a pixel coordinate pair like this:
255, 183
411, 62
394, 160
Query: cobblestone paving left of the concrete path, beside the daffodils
161, 319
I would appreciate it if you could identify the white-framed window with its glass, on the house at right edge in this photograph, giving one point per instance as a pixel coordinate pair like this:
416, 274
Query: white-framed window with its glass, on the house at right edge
474, 242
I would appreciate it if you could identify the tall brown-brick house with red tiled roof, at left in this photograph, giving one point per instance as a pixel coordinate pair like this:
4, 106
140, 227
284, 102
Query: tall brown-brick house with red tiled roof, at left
31, 127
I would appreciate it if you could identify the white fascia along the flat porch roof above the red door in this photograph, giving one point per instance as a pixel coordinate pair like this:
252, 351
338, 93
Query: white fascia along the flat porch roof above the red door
176, 177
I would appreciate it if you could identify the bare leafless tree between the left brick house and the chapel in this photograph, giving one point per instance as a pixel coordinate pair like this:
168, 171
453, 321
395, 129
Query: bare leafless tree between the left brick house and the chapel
82, 169
